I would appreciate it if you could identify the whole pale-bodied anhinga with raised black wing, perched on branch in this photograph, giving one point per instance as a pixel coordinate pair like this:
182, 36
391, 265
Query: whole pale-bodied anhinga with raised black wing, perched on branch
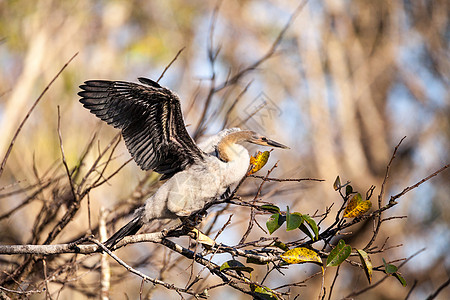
152, 125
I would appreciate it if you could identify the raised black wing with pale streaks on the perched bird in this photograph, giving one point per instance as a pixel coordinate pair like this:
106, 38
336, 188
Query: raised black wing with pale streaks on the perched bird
150, 119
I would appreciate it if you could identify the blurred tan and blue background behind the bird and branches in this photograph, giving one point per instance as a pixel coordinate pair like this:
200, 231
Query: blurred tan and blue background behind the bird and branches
348, 80
